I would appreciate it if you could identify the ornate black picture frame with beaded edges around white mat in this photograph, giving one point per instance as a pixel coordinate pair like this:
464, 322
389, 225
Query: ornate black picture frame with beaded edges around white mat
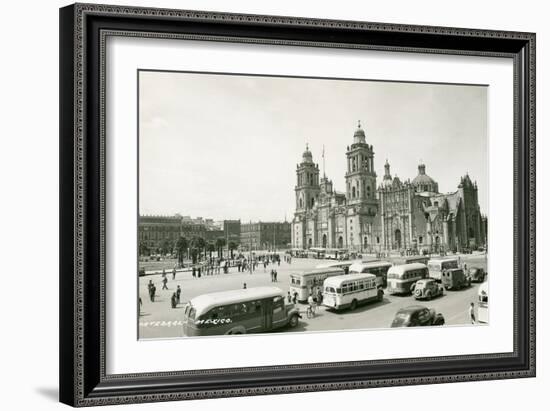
83, 30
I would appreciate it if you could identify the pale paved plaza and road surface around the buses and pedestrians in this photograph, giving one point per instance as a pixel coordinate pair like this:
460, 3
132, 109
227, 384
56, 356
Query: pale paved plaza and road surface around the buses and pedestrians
159, 320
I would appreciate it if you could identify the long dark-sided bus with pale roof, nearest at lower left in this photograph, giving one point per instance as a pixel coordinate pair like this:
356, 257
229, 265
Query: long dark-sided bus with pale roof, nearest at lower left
252, 310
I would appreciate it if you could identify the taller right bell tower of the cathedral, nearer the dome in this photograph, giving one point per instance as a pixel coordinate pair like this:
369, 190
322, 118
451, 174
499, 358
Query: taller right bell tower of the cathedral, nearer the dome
360, 176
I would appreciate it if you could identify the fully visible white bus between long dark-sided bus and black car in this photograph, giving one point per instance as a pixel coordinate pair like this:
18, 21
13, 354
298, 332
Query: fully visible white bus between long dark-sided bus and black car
348, 291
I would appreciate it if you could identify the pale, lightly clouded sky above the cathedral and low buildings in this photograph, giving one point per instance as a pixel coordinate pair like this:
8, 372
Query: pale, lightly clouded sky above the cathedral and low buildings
226, 146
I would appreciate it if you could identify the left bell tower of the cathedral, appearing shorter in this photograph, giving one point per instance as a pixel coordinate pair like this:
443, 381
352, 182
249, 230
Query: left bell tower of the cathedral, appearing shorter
307, 183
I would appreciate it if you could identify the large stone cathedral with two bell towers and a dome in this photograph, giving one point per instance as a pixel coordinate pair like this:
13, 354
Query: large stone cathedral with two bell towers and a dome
394, 215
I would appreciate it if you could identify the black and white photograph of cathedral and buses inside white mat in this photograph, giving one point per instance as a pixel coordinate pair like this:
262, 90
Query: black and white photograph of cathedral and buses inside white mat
273, 204
